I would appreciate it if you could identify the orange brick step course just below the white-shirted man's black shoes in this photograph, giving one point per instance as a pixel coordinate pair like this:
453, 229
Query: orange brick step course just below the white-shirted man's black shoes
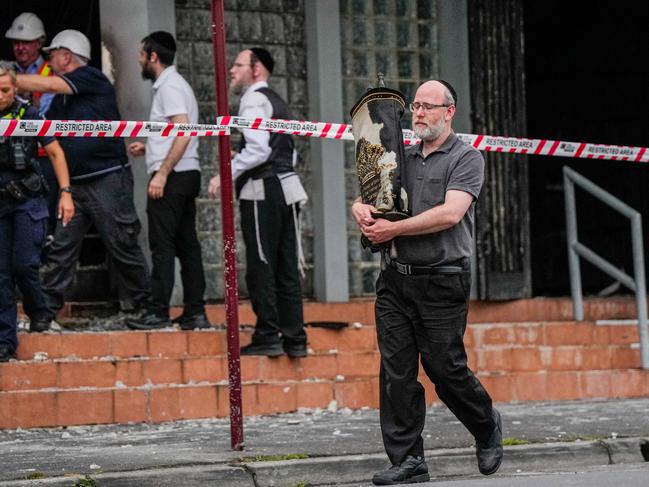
503, 339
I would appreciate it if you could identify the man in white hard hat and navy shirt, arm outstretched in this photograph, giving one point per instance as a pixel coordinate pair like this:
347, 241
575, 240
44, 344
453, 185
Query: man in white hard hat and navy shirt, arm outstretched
102, 181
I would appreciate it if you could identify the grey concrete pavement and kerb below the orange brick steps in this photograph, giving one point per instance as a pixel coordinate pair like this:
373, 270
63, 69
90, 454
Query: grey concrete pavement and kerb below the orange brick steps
332, 446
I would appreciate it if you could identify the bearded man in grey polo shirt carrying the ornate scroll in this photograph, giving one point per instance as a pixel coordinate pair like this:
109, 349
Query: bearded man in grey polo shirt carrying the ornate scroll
423, 291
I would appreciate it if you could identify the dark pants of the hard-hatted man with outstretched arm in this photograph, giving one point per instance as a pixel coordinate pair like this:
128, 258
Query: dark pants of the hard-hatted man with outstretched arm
106, 203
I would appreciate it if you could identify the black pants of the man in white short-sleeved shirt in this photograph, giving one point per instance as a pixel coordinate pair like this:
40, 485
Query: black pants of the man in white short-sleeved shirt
172, 233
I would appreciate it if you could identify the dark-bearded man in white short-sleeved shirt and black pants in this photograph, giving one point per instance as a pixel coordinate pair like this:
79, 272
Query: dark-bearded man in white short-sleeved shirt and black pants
175, 183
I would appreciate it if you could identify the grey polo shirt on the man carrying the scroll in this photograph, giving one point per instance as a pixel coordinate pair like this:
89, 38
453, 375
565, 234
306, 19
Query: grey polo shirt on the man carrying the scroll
455, 165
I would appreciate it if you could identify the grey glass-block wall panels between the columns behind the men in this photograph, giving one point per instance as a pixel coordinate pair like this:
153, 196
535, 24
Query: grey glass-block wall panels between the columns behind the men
397, 37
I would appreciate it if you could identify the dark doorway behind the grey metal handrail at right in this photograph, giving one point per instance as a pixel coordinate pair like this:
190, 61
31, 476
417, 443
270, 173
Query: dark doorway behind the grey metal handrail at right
587, 81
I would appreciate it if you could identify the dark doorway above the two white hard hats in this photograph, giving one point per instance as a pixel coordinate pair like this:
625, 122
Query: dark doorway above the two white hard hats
57, 15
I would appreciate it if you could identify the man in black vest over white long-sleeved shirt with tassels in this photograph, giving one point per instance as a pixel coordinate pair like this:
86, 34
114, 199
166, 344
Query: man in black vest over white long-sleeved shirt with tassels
270, 196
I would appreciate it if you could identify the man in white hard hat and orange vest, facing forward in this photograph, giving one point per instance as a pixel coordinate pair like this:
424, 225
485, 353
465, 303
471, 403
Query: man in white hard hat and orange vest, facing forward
27, 36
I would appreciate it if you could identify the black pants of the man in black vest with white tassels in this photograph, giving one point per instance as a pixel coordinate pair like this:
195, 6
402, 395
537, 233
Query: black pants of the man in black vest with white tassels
274, 286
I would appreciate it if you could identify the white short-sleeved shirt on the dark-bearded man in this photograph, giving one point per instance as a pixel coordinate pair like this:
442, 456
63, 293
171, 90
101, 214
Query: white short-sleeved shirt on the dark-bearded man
172, 95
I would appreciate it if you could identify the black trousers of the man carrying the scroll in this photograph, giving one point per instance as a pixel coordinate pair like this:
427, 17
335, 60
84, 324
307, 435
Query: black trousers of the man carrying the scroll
424, 317
